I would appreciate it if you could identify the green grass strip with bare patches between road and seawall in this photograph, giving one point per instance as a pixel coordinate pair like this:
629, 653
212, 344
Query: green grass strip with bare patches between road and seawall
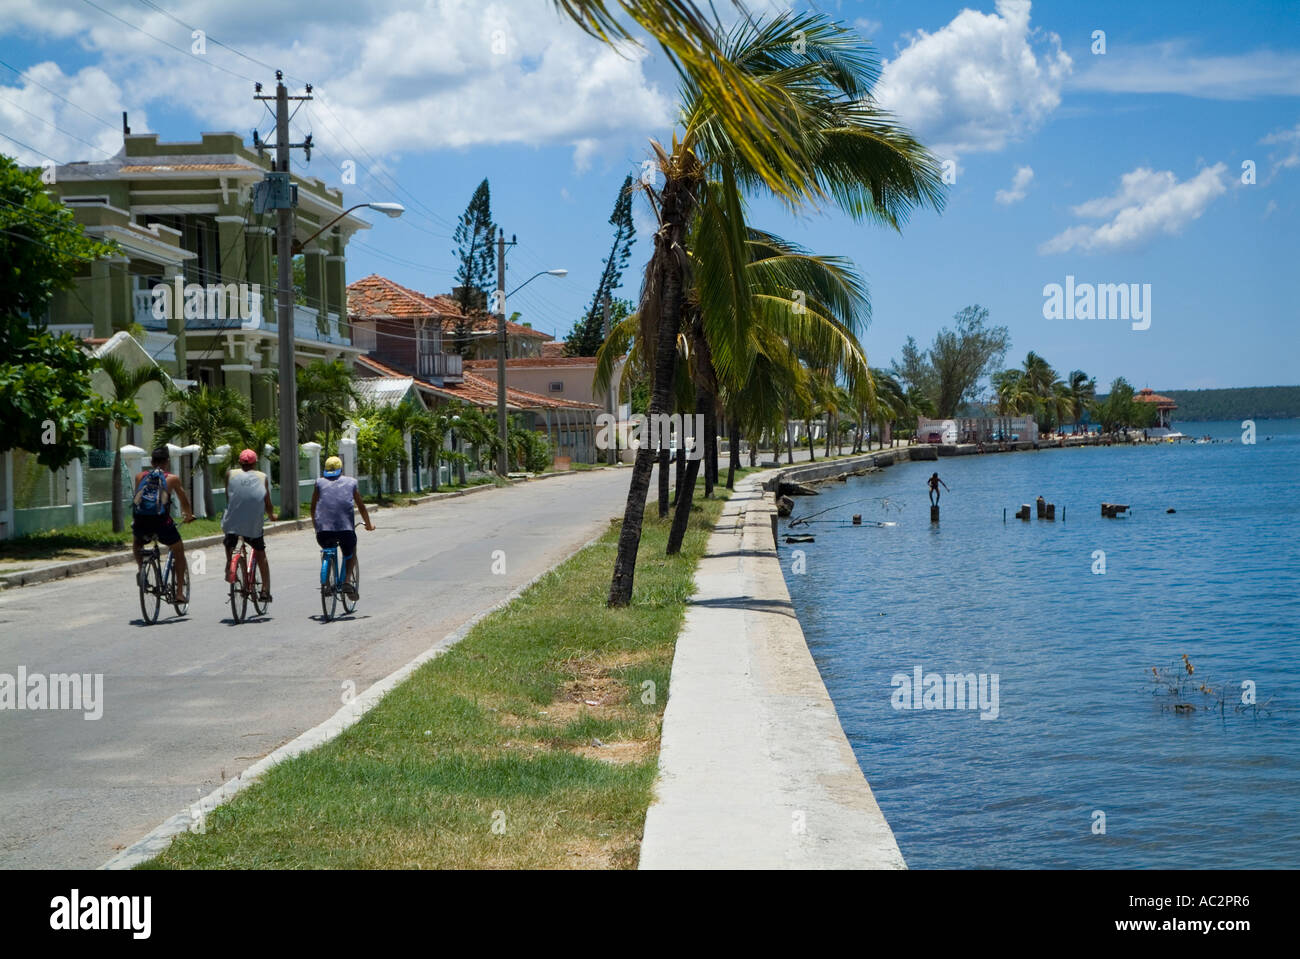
532, 744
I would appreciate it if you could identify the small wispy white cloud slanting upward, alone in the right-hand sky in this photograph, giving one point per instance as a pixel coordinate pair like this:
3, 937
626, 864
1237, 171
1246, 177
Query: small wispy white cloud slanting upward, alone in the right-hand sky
1147, 205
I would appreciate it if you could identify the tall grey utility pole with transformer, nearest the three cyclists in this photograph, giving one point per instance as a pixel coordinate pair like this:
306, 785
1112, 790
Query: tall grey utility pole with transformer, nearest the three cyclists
279, 194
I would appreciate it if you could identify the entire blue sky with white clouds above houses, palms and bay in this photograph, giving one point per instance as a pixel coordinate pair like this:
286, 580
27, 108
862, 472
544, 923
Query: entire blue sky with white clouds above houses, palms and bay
1116, 168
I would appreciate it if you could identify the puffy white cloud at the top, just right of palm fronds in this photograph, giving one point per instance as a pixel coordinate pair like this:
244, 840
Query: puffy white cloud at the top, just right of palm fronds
977, 84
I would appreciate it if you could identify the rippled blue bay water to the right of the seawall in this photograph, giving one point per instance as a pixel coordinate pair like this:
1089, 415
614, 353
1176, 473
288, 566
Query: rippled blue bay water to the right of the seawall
1078, 730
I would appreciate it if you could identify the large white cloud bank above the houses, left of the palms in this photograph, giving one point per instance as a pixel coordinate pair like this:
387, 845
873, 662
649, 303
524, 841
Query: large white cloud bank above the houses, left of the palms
400, 75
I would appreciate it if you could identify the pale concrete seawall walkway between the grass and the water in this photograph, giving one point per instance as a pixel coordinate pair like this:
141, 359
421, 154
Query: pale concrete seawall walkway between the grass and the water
755, 769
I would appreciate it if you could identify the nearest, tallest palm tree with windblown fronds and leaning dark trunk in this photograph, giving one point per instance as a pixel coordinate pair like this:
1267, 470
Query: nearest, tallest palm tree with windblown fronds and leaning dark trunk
821, 140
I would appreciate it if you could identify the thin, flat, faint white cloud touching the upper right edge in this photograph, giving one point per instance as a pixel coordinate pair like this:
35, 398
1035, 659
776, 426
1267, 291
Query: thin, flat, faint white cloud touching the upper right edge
1172, 67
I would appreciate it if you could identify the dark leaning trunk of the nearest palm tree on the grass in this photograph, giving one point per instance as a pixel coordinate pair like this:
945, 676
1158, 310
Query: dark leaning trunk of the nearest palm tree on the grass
669, 263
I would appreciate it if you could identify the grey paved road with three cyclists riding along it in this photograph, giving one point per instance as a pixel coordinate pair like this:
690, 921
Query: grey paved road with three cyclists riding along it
189, 704
